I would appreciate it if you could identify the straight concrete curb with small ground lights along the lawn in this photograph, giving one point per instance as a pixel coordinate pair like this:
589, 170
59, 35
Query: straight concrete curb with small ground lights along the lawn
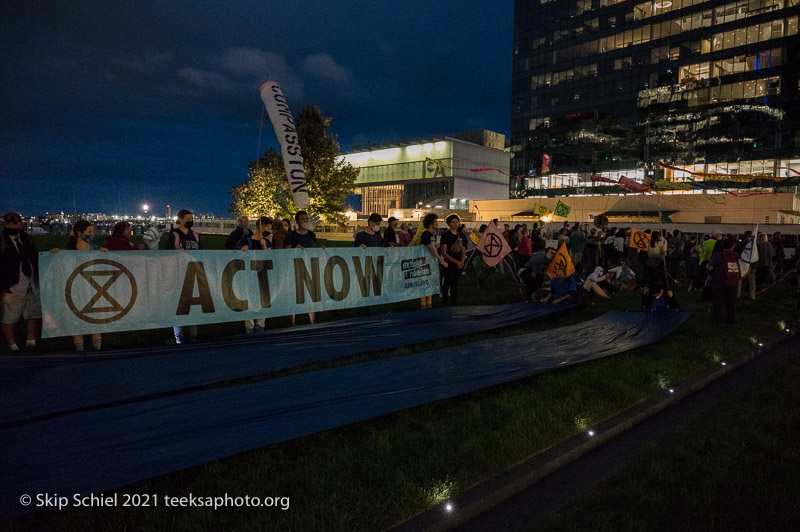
486, 495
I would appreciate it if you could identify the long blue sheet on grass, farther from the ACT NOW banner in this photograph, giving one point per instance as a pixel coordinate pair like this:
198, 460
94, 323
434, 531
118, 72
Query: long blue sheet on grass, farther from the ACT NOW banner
98, 450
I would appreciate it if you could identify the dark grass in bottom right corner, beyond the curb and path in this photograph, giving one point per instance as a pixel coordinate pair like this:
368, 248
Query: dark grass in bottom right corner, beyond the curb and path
733, 469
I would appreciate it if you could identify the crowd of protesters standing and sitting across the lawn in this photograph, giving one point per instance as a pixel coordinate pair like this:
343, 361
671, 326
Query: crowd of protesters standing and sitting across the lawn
567, 265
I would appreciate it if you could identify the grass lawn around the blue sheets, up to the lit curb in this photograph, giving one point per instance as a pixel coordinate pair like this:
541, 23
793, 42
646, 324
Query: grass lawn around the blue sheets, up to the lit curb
376, 473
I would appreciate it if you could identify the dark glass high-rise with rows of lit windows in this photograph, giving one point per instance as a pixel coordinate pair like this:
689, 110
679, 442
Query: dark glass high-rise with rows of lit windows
611, 88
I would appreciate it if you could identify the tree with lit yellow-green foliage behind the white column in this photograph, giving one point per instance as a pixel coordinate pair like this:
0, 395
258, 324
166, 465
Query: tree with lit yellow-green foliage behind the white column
328, 178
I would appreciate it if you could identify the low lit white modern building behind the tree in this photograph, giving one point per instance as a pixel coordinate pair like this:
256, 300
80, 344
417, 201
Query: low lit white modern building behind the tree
431, 174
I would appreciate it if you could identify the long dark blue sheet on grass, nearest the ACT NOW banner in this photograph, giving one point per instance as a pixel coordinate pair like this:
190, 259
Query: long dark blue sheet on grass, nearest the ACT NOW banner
39, 385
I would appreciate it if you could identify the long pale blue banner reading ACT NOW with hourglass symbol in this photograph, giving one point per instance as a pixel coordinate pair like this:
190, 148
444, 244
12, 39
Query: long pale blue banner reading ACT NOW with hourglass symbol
90, 291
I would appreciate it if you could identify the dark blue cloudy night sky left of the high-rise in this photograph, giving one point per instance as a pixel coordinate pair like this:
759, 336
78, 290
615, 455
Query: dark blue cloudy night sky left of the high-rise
109, 105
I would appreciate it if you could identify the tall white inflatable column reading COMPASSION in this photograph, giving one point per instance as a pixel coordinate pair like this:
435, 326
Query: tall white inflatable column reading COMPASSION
286, 131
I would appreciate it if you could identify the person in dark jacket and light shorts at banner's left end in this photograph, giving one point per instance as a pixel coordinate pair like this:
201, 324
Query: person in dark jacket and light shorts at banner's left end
19, 281
